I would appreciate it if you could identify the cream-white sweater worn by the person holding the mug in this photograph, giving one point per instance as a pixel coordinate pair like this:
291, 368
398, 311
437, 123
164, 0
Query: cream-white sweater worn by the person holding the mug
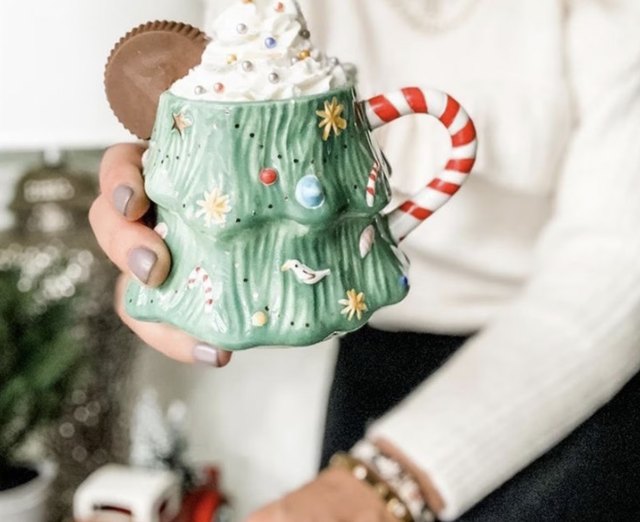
540, 251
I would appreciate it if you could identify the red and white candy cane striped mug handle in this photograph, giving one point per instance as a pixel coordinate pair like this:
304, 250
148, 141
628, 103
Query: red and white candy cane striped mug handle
384, 109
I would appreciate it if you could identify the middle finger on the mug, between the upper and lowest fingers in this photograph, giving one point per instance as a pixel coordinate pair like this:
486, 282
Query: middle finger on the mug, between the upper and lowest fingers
133, 247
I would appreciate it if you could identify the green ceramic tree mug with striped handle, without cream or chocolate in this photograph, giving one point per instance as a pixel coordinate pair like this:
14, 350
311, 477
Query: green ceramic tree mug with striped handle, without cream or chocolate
274, 213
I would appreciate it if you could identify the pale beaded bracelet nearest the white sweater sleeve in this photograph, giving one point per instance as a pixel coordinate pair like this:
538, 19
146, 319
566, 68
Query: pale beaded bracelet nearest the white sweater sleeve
405, 485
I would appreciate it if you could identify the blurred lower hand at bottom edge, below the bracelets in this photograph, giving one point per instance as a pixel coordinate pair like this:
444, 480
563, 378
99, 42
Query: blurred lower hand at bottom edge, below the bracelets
335, 496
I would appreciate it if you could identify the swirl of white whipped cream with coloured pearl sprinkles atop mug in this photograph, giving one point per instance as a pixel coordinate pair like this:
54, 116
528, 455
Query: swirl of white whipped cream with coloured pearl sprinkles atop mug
261, 50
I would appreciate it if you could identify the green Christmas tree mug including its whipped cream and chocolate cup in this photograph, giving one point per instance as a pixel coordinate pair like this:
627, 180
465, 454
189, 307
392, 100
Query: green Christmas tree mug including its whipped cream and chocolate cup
269, 189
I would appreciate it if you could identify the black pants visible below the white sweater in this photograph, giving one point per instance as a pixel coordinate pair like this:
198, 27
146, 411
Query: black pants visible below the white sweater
592, 475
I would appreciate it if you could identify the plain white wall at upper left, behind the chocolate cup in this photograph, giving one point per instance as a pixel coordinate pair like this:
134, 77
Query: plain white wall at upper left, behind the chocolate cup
52, 58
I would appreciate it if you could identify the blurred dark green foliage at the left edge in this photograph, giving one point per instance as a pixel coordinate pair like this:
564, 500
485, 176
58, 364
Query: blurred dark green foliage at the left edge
40, 356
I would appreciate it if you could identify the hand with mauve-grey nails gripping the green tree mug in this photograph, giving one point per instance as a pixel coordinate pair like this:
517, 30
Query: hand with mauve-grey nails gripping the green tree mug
116, 218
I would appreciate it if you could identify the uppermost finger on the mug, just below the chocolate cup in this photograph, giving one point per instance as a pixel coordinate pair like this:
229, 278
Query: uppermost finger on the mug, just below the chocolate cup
121, 180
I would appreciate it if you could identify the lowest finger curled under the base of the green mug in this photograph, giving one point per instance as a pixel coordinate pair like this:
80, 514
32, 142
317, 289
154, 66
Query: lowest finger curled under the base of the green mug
168, 340
